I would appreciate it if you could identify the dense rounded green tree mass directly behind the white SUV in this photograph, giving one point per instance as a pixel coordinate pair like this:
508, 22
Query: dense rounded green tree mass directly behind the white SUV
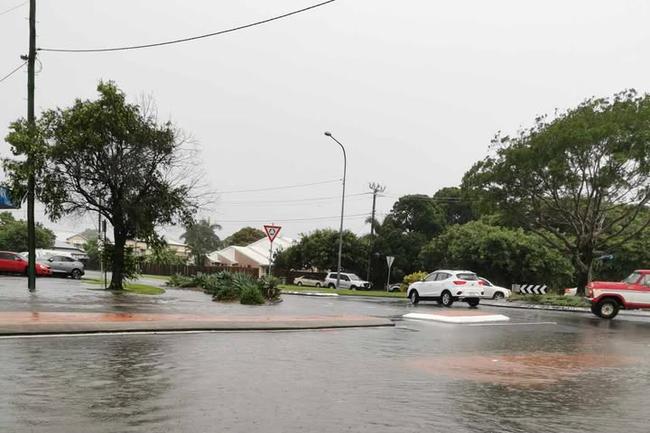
504, 255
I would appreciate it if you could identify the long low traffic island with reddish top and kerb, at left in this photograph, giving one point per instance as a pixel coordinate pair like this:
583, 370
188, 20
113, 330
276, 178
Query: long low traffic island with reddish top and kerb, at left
43, 323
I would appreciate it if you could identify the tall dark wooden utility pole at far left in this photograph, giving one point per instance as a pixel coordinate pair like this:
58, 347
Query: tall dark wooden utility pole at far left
31, 231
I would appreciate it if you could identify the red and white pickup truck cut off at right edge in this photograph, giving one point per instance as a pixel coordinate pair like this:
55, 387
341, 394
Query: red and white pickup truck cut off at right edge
607, 298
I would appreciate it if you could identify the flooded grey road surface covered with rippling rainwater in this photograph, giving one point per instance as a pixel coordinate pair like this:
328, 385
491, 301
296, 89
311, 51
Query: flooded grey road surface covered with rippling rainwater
540, 372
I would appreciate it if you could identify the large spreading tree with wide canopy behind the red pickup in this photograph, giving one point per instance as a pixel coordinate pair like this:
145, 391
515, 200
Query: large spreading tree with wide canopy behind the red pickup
580, 181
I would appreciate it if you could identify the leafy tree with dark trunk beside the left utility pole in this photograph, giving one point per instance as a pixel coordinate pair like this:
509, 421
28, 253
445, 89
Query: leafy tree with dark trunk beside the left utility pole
111, 157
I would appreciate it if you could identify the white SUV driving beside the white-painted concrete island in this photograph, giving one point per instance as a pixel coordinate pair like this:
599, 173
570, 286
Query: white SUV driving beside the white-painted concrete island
446, 287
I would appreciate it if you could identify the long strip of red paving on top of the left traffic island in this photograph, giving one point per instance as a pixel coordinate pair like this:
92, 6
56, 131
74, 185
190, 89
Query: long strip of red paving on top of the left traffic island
26, 317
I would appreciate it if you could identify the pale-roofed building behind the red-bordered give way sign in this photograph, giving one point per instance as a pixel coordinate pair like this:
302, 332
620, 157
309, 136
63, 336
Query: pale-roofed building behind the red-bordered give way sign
255, 255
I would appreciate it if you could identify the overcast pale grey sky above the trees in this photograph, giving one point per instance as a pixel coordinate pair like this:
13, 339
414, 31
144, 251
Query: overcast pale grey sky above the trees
414, 89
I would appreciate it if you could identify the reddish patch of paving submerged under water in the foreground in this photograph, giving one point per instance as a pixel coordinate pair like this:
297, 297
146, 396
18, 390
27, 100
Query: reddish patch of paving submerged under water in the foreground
537, 368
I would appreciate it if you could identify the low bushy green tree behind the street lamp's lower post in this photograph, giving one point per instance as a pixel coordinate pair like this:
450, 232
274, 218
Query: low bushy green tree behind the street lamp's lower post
319, 250
